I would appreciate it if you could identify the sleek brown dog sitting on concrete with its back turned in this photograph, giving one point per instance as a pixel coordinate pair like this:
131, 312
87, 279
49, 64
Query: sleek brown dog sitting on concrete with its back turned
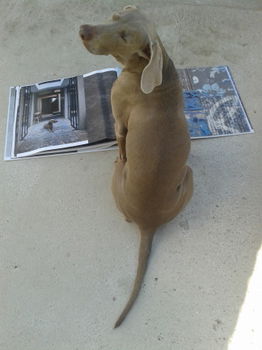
151, 182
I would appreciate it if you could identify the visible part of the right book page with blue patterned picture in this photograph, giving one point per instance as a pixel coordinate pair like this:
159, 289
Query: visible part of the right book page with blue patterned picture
212, 103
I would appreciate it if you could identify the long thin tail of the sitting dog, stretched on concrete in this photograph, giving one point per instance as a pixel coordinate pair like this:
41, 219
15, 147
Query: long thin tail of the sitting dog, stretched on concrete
144, 252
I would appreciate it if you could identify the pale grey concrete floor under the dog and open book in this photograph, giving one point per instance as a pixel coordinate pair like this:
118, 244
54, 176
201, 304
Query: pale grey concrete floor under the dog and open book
67, 256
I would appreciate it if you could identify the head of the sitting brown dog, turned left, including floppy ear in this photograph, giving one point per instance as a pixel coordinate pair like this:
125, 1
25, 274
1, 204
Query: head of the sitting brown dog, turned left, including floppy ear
129, 35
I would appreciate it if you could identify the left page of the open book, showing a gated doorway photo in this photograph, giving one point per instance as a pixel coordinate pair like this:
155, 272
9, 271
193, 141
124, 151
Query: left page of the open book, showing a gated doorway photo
61, 113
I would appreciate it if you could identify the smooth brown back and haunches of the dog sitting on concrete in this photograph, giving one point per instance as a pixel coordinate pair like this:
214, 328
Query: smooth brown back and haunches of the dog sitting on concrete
153, 186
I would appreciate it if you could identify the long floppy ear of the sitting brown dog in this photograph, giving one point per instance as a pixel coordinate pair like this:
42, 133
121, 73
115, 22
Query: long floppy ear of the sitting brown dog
152, 73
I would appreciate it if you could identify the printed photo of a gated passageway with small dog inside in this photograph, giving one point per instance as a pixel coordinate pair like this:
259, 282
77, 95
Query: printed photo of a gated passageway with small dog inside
51, 113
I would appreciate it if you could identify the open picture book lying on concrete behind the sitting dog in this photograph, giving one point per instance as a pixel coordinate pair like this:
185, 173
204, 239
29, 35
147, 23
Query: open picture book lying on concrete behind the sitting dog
74, 114
